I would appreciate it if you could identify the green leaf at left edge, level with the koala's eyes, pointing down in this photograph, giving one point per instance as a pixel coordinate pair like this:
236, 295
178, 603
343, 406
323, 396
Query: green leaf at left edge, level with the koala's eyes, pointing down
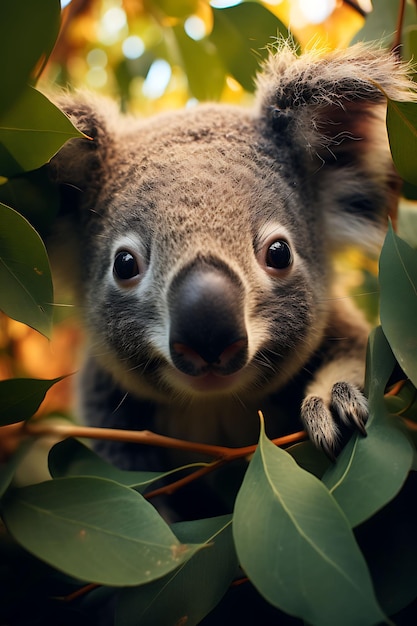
26, 292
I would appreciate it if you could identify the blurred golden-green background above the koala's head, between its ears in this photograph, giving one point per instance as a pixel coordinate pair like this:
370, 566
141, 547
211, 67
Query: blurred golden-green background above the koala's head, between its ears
158, 54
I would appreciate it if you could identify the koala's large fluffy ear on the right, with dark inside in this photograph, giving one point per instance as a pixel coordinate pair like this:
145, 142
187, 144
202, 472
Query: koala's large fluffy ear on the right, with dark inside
329, 111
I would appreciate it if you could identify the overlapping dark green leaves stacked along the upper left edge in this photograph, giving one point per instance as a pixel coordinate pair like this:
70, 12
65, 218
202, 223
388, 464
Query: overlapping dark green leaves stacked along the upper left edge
32, 130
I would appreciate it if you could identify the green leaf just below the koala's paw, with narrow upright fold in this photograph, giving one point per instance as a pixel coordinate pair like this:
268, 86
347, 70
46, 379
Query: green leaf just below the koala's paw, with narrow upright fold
371, 471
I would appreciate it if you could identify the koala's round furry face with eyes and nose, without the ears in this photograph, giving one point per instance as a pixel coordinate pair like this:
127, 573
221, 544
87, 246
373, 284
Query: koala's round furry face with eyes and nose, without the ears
211, 282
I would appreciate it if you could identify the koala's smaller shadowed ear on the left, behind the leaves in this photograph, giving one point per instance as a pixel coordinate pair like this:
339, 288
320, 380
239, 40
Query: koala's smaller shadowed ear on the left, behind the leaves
80, 169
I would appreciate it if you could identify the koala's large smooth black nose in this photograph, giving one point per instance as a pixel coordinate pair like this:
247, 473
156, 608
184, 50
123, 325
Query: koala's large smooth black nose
207, 326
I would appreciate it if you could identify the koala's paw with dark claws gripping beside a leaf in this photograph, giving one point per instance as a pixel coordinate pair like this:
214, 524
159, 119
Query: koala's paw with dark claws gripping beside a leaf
328, 423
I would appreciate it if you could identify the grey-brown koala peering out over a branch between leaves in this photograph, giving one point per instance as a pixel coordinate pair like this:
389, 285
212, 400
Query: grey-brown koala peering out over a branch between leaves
199, 247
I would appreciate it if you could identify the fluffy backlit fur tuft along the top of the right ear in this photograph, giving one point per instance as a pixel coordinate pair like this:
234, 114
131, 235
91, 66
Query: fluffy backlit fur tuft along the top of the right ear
315, 93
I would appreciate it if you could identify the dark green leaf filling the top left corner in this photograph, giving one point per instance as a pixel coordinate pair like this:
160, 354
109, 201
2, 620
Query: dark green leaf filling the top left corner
28, 31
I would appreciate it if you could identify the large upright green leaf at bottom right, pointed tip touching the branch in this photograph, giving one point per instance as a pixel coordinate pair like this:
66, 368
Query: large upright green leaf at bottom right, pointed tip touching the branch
296, 545
